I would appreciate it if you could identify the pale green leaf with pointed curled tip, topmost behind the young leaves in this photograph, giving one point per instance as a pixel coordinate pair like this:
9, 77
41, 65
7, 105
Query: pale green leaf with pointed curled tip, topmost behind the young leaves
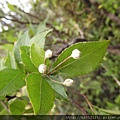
40, 38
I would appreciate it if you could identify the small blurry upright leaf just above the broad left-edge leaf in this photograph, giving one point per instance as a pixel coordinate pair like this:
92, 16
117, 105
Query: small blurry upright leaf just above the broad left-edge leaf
10, 61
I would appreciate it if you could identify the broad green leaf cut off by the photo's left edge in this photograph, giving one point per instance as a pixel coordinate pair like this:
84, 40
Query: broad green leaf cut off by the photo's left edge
11, 80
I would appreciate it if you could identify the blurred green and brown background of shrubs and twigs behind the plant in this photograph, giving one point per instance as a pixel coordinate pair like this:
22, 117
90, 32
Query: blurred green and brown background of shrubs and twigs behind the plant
71, 20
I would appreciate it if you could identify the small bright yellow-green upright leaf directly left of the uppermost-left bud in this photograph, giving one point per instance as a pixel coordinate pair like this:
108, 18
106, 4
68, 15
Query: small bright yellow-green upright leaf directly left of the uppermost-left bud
37, 55
